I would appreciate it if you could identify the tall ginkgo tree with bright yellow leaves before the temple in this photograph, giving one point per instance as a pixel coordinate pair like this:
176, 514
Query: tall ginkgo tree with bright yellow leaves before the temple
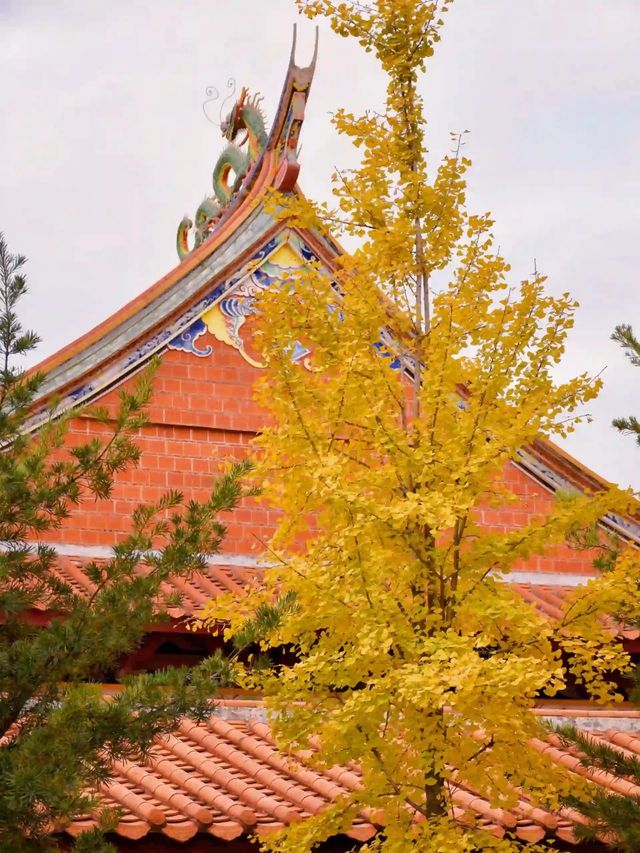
429, 373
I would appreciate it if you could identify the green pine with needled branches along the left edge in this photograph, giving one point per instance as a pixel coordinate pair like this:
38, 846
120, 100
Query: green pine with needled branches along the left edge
59, 736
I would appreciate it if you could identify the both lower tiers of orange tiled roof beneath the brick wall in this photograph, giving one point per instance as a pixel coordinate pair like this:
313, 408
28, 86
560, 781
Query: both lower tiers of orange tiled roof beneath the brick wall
225, 778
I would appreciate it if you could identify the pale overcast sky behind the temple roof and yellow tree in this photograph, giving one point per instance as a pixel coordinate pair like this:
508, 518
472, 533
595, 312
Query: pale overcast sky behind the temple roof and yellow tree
104, 147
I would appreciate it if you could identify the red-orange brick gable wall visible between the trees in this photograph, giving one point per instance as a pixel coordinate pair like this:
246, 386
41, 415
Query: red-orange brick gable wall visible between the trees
203, 414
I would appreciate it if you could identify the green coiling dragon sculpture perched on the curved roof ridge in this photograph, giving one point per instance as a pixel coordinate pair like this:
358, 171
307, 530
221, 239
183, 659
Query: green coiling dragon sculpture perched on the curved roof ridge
230, 169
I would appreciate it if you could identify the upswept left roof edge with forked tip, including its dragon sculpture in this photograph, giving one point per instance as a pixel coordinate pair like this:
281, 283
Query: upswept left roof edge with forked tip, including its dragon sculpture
231, 228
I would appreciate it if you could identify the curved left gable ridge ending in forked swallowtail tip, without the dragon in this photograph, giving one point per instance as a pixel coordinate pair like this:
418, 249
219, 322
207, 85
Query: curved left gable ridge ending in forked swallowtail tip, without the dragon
121, 344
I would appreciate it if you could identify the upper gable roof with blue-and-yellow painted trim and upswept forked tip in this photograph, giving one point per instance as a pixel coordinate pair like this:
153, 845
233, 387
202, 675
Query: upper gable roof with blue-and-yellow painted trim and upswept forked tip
241, 251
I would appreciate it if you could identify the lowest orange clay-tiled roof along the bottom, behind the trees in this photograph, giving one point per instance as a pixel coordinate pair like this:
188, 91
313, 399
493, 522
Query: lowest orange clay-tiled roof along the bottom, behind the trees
226, 778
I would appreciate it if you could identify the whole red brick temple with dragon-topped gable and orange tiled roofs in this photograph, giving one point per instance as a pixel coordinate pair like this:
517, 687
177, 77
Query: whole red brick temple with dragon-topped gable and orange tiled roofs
210, 787
